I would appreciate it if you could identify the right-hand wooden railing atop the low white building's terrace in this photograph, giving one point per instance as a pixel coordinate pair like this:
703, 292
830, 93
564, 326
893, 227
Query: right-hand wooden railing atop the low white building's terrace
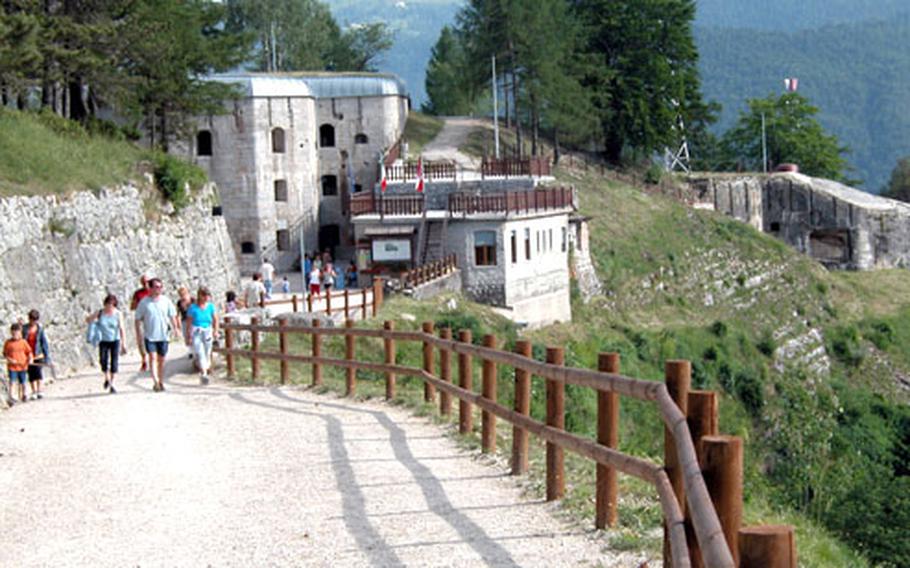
512, 202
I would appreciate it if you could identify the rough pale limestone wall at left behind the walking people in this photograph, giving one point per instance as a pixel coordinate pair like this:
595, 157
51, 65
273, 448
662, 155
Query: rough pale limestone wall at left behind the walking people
61, 256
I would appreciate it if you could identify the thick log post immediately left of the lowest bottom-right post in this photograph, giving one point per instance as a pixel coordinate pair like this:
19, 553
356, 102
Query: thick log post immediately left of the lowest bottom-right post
722, 468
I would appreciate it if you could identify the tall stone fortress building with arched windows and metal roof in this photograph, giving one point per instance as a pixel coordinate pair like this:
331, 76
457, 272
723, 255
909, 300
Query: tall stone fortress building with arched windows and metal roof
290, 151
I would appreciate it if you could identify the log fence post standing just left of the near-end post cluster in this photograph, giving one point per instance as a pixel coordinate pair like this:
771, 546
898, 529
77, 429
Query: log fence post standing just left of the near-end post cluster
607, 492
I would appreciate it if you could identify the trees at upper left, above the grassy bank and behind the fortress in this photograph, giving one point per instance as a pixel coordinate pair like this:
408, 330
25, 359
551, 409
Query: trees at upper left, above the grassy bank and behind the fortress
148, 59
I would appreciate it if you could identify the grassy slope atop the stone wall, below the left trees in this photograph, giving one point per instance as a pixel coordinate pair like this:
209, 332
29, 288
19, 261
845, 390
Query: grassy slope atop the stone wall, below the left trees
37, 159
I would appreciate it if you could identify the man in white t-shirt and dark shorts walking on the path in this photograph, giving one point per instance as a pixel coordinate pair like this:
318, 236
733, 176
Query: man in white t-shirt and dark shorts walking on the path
155, 314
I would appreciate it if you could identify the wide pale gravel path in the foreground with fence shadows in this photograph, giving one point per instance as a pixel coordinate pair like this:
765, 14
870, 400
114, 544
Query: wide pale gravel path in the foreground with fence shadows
232, 476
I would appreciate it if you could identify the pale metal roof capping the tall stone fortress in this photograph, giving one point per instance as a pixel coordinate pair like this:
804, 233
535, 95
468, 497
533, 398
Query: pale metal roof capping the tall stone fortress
314, 84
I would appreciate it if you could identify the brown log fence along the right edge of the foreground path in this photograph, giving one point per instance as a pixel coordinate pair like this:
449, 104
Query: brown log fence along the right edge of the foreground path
694, 453
